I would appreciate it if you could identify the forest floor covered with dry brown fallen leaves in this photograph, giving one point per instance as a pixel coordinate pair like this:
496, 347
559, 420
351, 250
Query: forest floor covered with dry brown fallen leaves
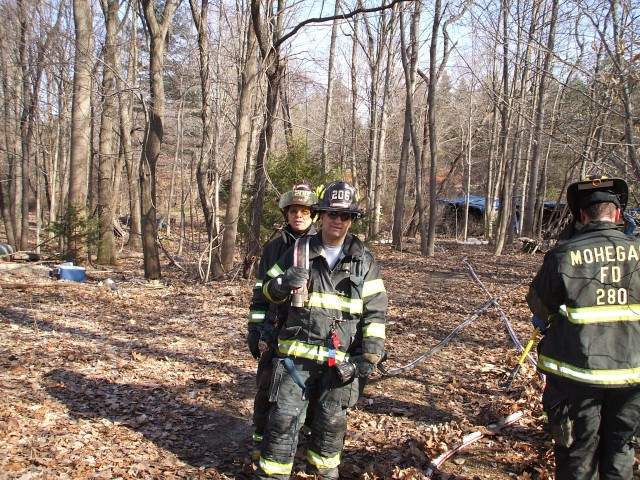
137, 379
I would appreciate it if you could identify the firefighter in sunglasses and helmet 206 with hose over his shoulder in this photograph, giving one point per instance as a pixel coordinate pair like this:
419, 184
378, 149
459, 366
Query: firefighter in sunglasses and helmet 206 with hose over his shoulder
329, 344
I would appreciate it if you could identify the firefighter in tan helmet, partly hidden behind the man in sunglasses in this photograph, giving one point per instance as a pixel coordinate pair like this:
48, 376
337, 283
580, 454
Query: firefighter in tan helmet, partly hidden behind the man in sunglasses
265, 318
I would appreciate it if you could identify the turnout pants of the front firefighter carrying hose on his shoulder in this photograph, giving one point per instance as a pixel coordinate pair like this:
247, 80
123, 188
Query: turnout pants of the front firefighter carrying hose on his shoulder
329, 425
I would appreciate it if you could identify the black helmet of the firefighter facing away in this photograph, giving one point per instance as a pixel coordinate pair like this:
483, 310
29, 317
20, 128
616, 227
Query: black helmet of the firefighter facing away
597, 189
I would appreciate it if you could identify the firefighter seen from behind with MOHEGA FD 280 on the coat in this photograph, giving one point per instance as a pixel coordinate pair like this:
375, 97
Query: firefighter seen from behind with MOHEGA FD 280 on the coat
587, 294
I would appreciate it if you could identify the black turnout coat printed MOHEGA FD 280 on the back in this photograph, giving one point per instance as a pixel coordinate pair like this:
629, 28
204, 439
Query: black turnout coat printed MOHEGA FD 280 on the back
588, 290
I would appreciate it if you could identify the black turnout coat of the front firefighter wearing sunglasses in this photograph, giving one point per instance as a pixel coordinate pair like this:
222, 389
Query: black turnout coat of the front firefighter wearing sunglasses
347, 303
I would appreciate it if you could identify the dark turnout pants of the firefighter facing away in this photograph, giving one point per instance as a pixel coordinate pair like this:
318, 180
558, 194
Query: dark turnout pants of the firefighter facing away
592, 428
